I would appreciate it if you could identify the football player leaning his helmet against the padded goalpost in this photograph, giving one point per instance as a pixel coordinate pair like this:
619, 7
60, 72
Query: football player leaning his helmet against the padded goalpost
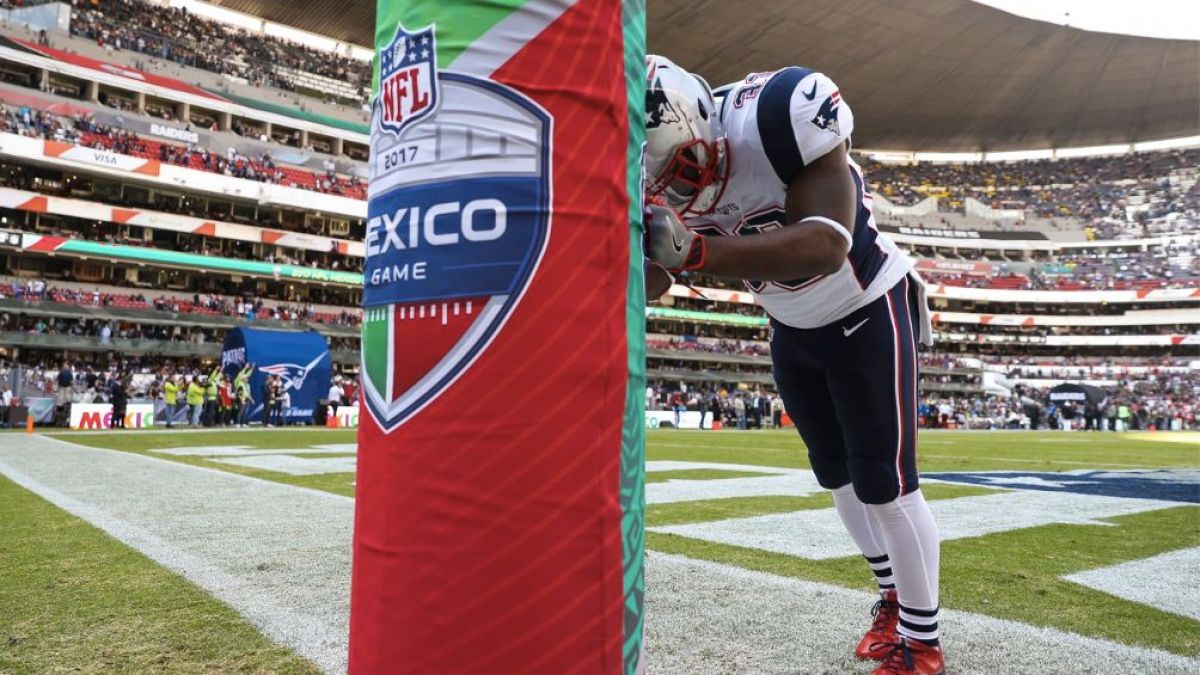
757, 183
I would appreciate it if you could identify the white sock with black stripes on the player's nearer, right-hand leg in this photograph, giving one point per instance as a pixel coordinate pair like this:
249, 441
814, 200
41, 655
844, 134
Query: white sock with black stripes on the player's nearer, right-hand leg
910, 536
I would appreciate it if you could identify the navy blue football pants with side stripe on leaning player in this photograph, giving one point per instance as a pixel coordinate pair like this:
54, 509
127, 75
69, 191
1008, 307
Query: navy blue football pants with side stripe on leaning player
851, 390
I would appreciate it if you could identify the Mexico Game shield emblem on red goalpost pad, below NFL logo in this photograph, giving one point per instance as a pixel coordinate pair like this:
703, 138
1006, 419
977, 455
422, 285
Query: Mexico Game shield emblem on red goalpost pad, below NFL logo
458, 222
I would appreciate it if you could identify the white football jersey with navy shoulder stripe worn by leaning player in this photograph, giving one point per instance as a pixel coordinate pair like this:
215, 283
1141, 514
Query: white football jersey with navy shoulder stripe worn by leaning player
777, 123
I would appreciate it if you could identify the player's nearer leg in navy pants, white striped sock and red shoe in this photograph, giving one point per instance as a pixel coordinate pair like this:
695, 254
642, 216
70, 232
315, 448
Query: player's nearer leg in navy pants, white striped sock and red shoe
875, 391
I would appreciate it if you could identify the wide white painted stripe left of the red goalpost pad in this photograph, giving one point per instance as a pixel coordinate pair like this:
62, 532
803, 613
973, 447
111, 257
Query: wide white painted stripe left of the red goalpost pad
217, 529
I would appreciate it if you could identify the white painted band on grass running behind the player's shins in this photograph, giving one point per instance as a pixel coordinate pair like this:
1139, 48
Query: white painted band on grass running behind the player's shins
820, 535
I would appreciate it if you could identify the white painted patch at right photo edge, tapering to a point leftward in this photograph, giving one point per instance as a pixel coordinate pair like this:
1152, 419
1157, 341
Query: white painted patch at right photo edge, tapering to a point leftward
1168, 582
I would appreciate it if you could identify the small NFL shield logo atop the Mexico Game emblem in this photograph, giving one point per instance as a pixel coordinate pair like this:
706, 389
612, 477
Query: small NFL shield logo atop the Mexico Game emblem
409, 83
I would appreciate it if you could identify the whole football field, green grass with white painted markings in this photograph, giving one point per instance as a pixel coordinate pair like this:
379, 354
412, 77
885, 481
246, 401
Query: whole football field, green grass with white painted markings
230, 551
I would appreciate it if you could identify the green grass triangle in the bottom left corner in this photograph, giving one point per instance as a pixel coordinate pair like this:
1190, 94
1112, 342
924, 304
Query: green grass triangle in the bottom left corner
75, 600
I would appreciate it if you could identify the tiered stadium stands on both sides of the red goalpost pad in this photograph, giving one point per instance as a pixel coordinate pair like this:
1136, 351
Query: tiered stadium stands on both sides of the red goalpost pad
1048, 262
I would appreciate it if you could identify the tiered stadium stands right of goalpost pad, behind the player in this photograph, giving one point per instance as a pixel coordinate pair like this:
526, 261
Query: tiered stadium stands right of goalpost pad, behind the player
1119, 306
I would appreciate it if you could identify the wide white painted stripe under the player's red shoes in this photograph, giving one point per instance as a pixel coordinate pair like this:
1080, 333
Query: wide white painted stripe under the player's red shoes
709, 618
